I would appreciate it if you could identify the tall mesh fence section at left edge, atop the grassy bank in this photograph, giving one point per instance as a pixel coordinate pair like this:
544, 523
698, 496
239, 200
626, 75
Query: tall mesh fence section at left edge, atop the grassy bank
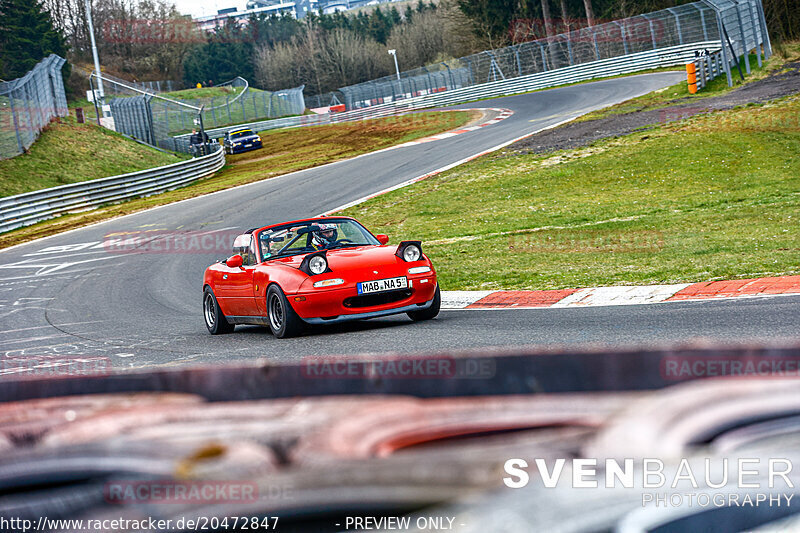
29, 103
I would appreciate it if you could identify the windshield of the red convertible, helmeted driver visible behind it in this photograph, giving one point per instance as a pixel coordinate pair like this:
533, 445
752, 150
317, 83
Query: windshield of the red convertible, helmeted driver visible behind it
312, 236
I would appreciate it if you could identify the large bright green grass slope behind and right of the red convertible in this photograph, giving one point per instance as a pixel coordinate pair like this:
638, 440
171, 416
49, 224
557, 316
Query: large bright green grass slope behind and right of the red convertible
712, 197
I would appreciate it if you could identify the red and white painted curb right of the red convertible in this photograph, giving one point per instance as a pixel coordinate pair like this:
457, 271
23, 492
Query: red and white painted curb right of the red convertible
621, 295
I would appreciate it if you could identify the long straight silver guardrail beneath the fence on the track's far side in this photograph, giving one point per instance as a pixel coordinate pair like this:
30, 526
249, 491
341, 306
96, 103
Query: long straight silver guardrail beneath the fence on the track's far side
651, 59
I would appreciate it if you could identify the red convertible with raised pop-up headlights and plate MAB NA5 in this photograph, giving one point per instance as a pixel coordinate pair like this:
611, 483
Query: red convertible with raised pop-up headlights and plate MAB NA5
317, 271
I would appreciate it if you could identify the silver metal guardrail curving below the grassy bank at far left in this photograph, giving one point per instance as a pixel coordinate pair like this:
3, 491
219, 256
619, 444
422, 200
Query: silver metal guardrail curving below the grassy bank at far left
30, 208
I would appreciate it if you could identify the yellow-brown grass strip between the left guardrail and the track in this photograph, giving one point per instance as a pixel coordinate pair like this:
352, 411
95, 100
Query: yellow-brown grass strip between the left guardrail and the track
284, 151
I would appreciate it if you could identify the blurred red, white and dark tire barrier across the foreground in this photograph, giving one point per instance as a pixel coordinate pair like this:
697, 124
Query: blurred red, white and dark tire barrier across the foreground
319, 448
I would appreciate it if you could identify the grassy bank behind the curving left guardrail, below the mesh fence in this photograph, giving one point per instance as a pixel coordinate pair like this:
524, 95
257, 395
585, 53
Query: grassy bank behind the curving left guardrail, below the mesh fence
68, 152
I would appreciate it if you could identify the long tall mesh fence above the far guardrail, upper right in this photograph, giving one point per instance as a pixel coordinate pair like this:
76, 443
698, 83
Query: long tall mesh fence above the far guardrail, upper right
696, 22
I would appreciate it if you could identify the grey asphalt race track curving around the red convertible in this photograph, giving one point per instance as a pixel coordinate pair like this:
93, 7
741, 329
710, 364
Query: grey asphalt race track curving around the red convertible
144, 309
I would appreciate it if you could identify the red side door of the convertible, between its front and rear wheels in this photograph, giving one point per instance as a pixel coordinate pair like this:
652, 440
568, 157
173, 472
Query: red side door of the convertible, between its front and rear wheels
235, 286
